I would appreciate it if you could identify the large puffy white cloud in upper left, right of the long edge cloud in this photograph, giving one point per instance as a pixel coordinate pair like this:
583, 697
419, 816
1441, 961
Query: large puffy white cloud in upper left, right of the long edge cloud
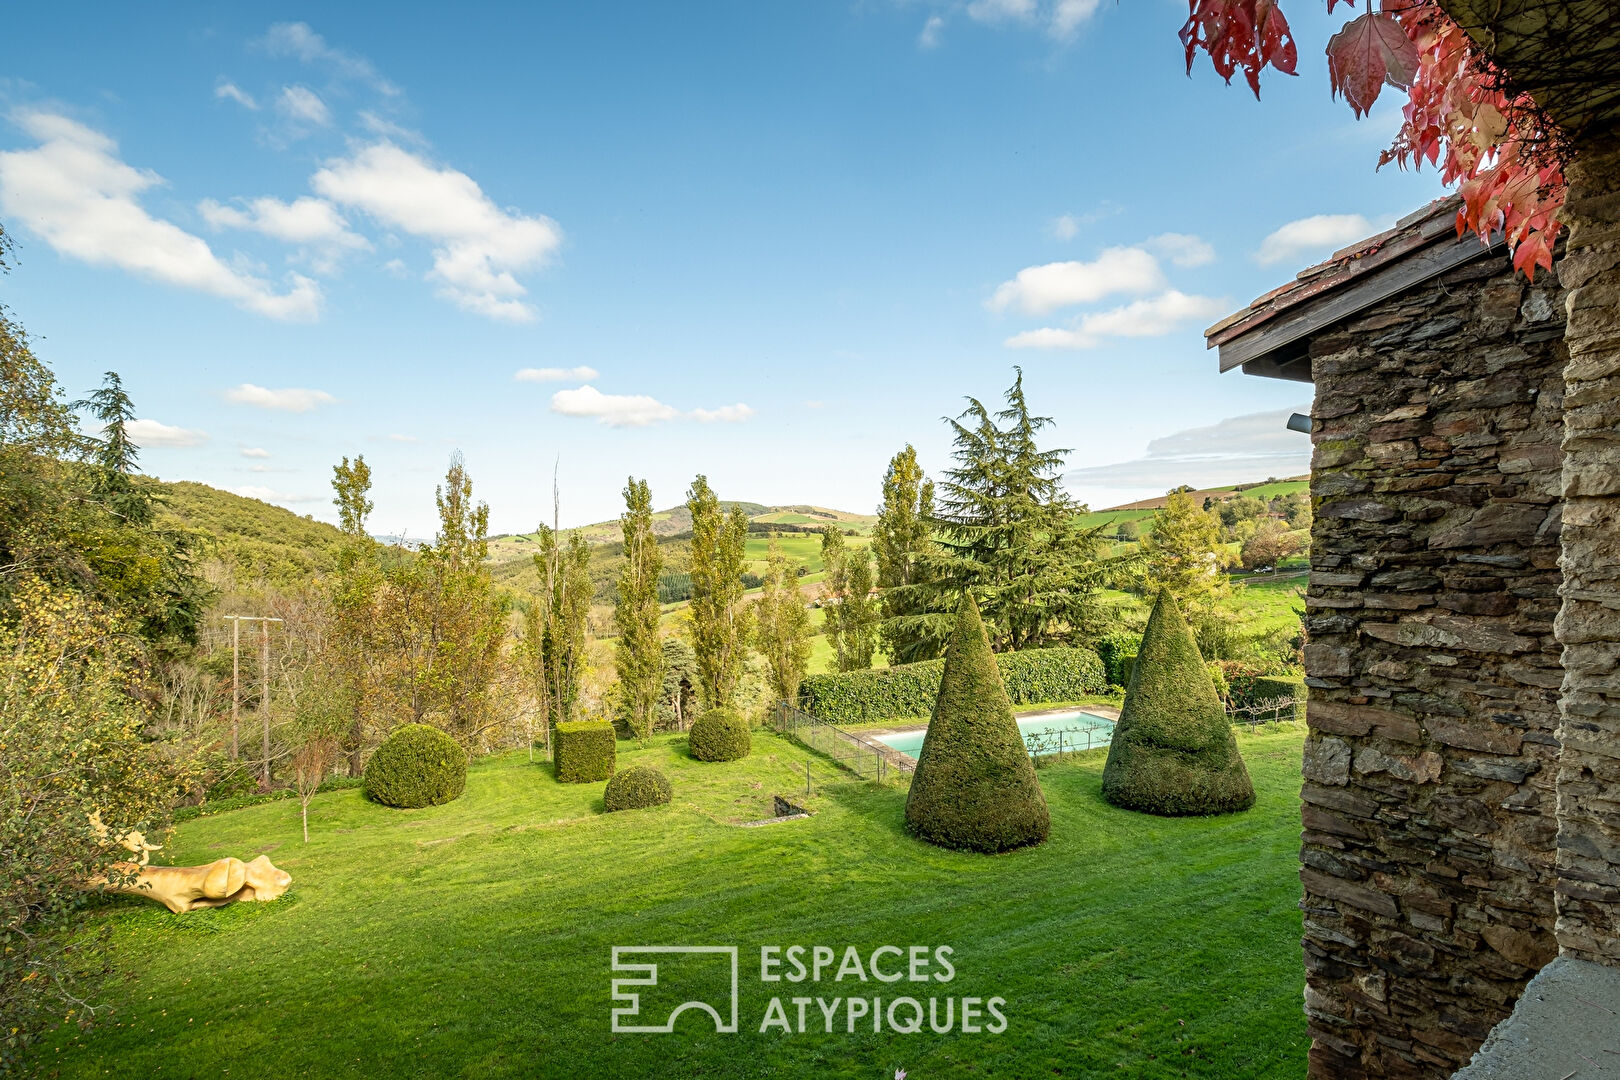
480, 247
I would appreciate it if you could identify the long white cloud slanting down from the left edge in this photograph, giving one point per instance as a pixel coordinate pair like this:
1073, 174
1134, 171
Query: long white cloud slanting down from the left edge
83, 200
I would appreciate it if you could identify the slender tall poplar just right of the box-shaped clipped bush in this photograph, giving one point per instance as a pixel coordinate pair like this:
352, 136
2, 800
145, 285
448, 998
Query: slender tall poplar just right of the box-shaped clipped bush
641, 657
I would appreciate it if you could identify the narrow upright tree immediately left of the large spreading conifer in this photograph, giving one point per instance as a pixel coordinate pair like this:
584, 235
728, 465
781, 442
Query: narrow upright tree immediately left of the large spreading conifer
902, 542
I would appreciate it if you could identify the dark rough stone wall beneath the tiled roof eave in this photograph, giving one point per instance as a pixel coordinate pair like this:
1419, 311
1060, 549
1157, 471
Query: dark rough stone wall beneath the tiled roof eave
1430, 806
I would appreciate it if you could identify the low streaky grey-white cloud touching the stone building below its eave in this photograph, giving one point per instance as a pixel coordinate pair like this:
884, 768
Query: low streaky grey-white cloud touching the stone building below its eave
1230, 453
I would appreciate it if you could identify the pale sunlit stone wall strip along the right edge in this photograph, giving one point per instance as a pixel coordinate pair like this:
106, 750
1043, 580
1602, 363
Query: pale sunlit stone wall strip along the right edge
1590, 623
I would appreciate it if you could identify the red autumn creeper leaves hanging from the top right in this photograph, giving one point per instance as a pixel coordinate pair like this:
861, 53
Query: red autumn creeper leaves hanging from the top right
1462, 114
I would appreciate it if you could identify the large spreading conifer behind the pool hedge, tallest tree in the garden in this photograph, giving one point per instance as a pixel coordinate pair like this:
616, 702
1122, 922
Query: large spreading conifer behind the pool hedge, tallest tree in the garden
1007, 532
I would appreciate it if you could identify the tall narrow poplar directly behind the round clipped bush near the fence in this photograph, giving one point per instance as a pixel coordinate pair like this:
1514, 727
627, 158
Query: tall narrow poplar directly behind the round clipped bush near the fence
720, 623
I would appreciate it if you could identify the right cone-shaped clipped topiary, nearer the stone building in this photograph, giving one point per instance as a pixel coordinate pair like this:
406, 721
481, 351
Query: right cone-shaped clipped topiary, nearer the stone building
1174, 750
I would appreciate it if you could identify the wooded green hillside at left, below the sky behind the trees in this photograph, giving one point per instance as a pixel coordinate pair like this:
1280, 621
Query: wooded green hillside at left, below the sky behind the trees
255, 540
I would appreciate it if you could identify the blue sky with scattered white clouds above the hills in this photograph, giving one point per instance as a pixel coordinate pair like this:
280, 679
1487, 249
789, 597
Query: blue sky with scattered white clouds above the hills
765, 242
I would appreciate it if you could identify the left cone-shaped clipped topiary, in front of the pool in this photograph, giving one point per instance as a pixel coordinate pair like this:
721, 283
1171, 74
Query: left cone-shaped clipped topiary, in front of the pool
974, 786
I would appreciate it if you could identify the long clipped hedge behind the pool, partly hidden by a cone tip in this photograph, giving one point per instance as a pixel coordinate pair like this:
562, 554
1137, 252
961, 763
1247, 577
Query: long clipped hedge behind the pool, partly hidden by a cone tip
910, 691
